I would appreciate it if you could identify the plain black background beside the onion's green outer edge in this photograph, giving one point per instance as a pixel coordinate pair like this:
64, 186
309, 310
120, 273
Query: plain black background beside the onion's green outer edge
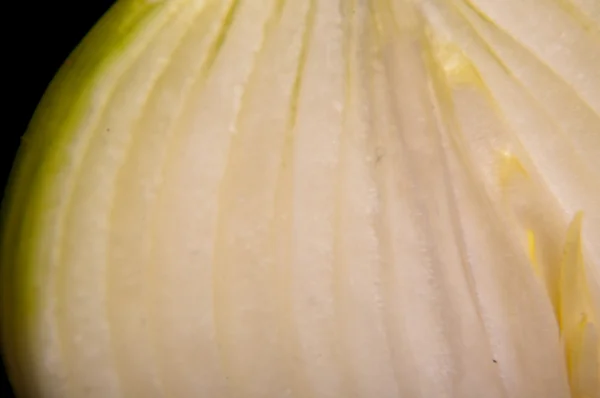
38, 37
